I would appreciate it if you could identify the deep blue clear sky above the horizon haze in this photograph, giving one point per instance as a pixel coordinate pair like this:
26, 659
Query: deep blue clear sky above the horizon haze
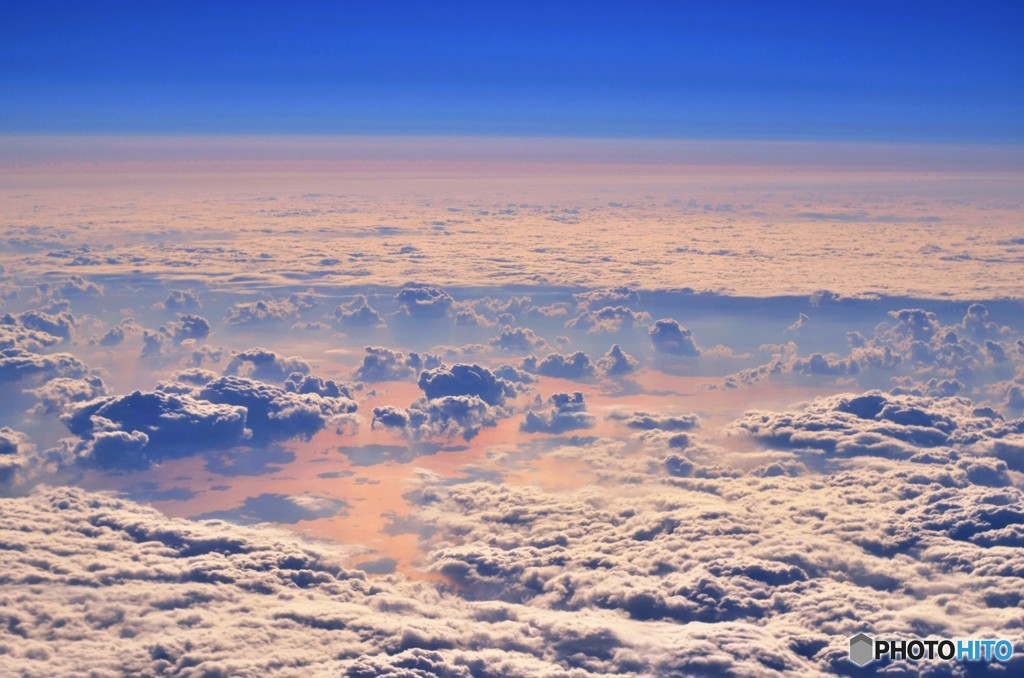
948, 72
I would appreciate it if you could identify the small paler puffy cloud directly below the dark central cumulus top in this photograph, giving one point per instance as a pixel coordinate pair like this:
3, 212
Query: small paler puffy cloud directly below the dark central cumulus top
451, 416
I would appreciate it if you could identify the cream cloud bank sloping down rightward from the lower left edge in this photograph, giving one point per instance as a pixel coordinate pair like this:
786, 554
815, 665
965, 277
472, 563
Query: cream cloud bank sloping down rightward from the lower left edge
106, 585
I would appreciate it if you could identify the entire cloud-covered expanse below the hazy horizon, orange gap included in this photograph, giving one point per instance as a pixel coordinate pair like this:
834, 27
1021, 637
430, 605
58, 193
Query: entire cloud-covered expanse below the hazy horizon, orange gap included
581, 420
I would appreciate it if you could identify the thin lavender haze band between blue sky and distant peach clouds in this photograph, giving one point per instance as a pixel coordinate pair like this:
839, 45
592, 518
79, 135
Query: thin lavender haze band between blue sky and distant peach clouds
20, 151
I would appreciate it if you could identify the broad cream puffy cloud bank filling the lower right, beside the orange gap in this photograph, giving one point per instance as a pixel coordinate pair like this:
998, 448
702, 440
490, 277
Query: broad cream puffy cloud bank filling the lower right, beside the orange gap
795, 562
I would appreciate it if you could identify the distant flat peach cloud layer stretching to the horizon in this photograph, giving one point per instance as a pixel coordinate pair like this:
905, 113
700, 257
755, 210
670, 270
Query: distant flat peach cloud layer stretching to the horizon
787, 223
